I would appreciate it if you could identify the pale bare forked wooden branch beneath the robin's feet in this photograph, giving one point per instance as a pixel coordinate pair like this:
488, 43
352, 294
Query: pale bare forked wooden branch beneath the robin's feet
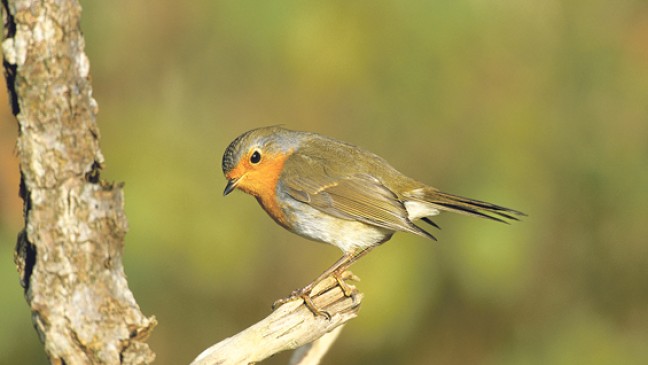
290, 326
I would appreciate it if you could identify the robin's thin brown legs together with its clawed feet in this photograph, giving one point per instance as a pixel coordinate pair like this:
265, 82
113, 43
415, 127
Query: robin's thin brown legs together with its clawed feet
336, 271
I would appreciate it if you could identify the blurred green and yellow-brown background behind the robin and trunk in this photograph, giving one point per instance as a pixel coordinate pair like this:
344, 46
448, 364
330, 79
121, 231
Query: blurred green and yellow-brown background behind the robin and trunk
537, 105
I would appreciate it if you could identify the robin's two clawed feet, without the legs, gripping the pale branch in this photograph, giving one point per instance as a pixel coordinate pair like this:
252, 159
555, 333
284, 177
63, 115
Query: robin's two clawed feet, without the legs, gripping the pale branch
317, 288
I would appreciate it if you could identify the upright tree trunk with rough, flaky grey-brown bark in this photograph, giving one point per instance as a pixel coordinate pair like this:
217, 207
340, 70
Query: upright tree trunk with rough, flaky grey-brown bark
69, 255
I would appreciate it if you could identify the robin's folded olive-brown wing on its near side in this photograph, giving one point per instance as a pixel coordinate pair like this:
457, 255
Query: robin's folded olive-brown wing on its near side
358, 196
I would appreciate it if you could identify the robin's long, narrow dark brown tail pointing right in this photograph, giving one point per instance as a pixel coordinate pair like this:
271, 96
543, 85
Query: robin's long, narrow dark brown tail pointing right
473, 207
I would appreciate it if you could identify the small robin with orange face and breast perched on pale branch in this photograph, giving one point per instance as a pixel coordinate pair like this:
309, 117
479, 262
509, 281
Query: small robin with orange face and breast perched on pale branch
334, 192
